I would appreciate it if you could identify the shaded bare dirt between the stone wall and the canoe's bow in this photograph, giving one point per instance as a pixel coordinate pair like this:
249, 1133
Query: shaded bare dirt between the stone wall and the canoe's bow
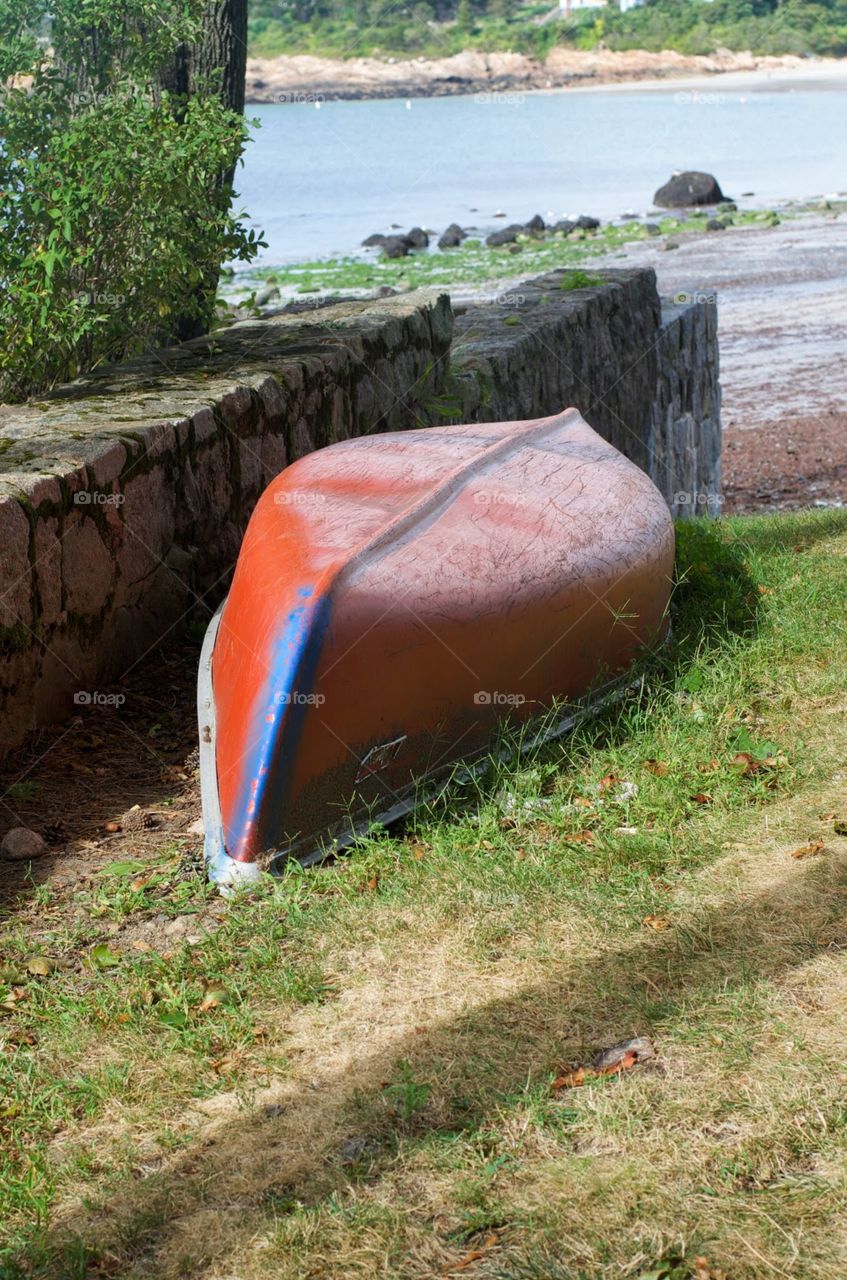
113, 783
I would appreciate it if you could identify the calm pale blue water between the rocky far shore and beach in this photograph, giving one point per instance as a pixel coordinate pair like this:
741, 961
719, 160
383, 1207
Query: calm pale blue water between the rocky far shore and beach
318, 181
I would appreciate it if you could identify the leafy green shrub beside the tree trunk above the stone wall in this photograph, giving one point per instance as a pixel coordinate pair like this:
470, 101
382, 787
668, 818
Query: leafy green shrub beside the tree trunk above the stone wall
115, 220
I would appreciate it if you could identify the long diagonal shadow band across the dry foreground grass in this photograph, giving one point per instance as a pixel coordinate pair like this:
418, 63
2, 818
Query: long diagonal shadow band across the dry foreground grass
278, 1159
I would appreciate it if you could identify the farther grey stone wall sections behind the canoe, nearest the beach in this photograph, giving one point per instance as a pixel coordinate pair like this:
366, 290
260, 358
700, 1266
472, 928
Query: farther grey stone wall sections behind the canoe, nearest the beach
642, 372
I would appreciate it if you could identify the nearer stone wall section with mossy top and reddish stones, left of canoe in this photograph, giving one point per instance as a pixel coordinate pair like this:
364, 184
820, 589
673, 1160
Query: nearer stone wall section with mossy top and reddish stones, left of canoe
123, 497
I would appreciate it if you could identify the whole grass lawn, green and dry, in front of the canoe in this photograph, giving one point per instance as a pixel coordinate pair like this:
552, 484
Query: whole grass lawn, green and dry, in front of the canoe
349, 1075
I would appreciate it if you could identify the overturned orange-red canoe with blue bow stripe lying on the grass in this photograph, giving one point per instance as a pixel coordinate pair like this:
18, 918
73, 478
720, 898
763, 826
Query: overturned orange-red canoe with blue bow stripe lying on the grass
396, 598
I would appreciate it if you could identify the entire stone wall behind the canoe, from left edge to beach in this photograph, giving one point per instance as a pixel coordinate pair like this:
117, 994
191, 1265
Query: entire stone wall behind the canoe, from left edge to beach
123, 497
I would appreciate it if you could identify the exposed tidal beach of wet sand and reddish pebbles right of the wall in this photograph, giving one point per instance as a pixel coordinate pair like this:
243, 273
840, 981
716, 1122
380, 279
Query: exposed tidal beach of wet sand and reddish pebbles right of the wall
782, 307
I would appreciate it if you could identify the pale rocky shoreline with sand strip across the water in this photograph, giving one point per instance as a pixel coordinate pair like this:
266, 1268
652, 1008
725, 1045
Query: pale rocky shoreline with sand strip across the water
304, 79
